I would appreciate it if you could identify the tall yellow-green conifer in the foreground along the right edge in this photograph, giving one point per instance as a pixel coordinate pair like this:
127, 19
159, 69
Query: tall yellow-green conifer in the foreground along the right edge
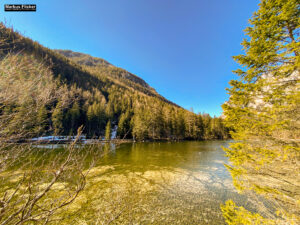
263, 110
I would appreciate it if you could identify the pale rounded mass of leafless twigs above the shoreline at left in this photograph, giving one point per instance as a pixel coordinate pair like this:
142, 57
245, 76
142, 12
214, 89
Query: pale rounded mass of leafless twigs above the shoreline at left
26, 85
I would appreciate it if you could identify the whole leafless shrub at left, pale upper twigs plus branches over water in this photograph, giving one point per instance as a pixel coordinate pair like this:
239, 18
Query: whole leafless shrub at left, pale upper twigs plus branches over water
35, 185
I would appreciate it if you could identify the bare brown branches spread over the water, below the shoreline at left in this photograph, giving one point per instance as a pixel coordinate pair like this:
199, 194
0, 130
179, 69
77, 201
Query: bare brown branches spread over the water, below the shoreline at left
36, 185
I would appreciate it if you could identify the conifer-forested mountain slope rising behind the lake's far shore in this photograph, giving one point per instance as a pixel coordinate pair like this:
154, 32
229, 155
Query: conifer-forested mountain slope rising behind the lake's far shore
47, 91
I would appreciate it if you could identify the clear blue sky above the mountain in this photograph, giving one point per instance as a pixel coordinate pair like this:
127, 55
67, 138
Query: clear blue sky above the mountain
182, 48
